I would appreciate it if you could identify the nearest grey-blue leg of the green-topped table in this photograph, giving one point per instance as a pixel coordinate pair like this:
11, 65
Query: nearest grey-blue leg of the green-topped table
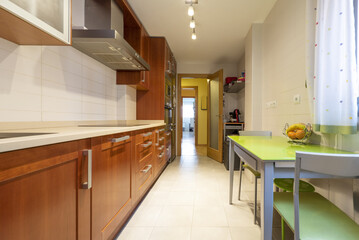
267, 175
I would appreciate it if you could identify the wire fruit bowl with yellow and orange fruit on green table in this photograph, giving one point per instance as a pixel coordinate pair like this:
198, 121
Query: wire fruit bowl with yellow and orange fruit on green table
298, 133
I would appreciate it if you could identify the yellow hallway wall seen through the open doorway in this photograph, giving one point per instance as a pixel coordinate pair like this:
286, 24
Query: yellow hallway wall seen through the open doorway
201, 83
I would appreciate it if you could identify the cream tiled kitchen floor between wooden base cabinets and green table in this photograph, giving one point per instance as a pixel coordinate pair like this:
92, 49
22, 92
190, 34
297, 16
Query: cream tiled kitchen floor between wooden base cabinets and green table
190, 202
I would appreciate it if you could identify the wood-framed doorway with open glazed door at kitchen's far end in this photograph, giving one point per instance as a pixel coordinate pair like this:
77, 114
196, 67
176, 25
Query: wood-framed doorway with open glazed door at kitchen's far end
209, 106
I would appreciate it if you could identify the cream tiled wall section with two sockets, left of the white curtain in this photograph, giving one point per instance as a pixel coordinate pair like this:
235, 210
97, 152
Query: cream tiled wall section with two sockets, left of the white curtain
284, 66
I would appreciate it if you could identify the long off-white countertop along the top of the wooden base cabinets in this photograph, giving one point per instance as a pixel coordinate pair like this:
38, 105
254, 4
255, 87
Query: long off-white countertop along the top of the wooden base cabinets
64, 132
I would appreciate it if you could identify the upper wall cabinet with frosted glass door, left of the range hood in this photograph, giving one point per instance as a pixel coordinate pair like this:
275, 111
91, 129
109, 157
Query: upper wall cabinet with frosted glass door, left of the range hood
36, 22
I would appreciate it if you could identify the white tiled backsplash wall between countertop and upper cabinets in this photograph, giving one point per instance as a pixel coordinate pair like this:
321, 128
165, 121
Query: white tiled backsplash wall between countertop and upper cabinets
49, 83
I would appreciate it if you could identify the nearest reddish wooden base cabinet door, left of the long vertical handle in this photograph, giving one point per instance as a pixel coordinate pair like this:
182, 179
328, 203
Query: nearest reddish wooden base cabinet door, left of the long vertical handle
39, 194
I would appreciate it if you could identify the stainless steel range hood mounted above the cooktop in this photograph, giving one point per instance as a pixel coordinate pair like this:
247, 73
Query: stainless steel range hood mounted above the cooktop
97, 31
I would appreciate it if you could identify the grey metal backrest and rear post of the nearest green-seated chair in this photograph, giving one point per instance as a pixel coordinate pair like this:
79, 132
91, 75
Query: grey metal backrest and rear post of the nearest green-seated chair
341, 165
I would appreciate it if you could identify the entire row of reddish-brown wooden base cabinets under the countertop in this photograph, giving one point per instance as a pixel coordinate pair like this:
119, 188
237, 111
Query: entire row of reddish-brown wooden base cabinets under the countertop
78, 190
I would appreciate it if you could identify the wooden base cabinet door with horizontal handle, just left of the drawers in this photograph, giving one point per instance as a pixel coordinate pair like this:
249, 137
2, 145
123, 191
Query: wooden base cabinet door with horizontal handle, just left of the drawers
111, 190
